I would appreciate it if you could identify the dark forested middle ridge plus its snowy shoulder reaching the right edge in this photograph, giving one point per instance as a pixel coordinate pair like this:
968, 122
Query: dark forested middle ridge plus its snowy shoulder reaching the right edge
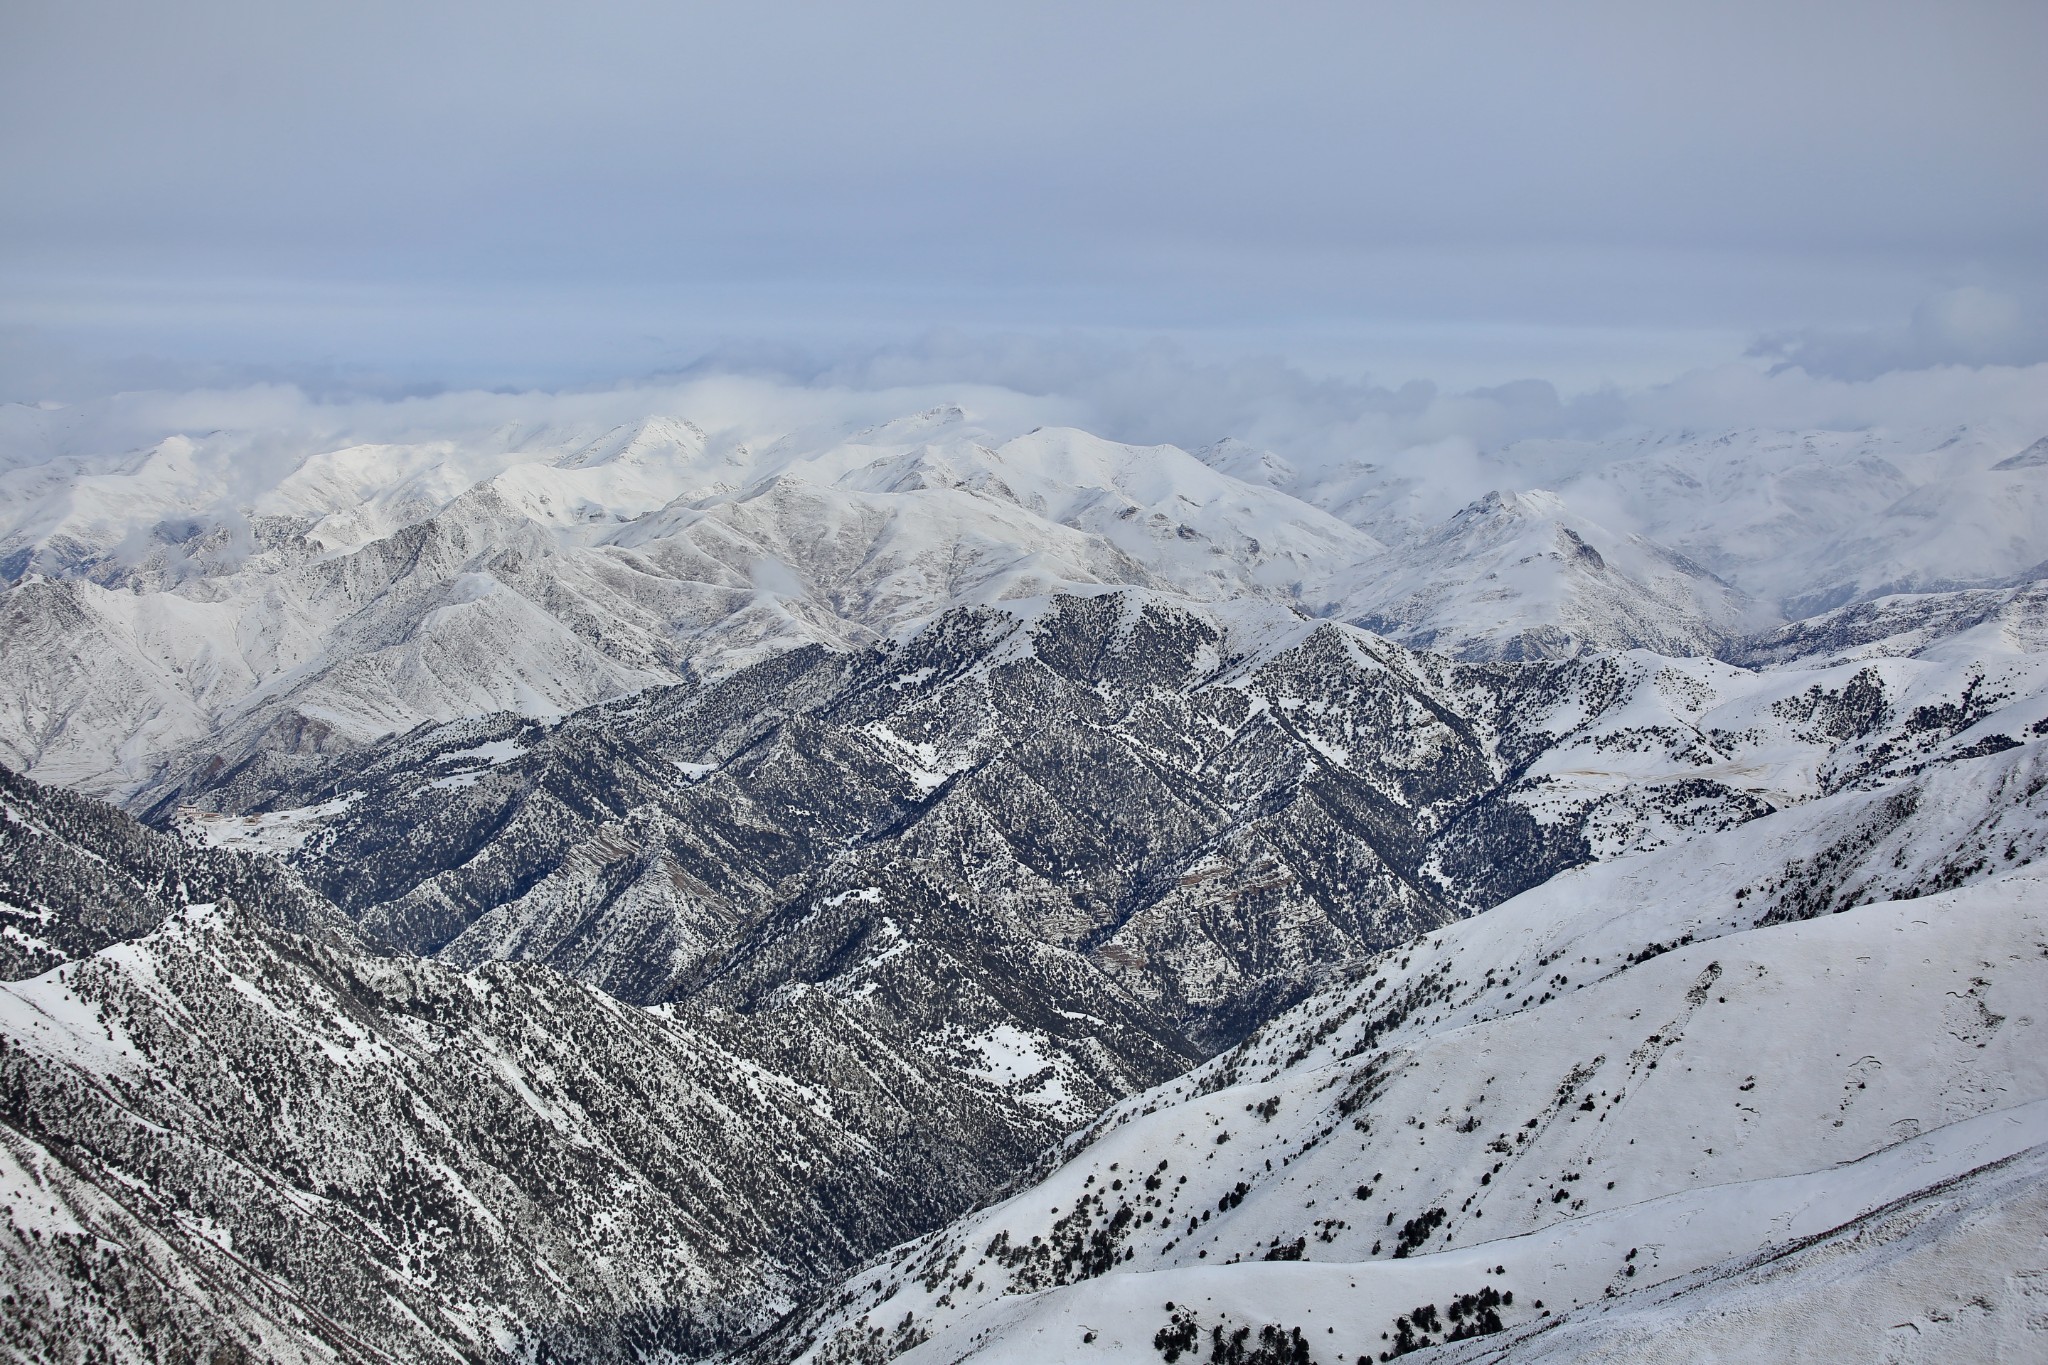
1109, 766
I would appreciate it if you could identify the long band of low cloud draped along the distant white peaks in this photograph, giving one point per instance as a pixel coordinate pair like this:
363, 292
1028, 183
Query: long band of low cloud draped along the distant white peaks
1144, 394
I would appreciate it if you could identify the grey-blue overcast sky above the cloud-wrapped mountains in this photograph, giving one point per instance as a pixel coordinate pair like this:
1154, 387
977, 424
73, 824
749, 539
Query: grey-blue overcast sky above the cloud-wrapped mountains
566, 193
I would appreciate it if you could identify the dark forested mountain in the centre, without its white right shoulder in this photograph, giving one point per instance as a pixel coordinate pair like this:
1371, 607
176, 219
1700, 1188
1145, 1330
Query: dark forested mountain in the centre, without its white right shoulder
1023, 779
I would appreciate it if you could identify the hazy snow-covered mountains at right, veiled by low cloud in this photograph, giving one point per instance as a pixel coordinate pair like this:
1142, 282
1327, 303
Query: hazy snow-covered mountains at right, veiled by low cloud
1795, 523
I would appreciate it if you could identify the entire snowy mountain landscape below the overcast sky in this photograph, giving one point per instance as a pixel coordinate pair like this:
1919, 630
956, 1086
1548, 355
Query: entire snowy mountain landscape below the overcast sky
792, 883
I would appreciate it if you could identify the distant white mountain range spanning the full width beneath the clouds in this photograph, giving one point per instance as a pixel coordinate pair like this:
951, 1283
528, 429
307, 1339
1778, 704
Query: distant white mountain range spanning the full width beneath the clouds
237, 590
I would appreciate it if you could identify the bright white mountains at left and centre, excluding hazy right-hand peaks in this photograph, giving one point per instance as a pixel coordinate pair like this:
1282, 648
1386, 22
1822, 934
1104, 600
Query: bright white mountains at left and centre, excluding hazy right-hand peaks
376, 588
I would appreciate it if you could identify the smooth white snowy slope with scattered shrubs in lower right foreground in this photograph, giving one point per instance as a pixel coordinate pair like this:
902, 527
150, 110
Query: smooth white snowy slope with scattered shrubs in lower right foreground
1674, 1106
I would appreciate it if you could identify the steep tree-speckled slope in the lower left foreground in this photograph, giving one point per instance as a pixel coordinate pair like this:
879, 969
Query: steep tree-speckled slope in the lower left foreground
243, 1137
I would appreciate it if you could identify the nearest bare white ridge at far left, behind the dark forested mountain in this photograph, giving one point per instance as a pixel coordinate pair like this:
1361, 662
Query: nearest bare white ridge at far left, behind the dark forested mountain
460, 615
